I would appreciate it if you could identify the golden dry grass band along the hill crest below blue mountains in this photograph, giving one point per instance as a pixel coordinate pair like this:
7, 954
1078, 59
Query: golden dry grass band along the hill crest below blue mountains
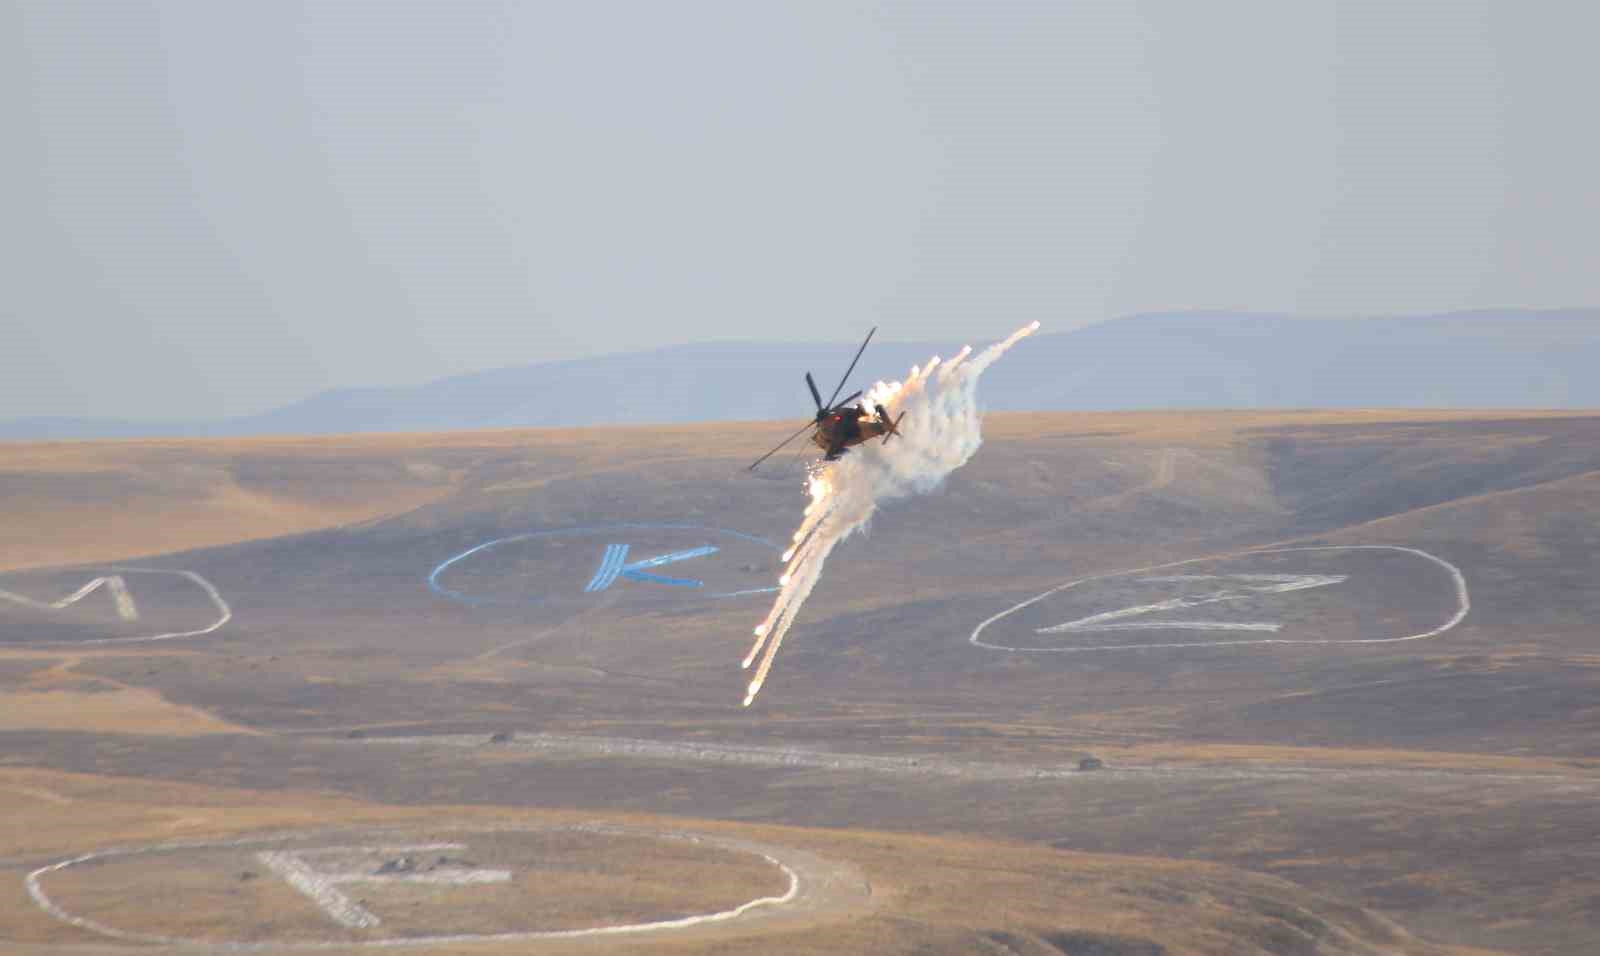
71, 503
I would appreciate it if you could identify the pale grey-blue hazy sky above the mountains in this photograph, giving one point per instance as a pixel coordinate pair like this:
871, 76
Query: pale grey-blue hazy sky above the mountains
210, 209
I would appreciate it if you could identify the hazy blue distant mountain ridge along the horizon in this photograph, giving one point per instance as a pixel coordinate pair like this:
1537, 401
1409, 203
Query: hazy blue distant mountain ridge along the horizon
1492, 359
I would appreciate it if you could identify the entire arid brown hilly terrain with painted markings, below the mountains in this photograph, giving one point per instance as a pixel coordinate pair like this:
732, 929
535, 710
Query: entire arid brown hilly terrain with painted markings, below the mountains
1134, 683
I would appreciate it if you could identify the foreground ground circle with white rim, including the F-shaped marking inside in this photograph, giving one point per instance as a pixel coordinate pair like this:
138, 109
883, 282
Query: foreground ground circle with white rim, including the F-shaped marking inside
361, 886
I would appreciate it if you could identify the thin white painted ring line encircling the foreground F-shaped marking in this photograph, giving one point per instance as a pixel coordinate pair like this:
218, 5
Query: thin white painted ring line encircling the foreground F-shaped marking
34, 883
